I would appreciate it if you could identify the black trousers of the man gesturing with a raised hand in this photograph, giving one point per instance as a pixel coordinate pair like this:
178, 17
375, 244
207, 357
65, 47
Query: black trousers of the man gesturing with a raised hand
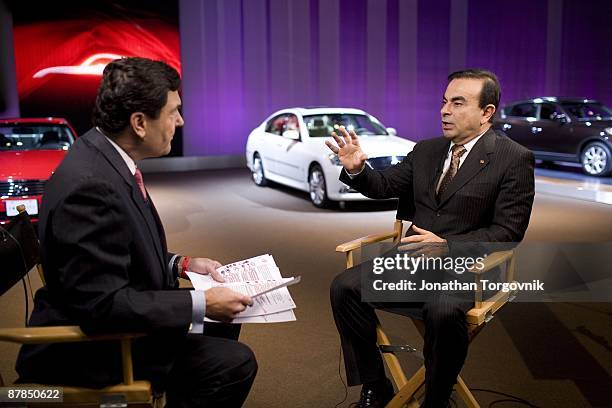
446, 337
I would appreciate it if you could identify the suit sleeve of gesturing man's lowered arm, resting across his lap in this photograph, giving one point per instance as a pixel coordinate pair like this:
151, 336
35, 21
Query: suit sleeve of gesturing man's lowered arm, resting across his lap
512, 208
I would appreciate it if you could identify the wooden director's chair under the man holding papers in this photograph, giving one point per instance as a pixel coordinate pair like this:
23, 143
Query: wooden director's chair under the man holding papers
20, 253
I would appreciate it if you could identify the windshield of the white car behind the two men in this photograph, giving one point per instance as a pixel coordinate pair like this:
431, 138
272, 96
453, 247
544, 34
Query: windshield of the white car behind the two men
323, 125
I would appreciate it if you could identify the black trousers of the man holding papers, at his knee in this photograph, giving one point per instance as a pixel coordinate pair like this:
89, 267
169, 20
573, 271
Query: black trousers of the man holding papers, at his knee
212, 370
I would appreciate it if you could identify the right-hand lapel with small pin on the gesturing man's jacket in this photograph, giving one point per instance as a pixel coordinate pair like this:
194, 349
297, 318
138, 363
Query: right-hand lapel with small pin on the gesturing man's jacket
477, 160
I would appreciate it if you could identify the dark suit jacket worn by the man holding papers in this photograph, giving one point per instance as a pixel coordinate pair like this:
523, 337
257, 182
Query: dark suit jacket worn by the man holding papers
105, 262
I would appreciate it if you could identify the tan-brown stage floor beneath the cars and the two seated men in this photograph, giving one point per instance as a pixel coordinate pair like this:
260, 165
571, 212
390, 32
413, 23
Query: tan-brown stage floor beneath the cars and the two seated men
552, 355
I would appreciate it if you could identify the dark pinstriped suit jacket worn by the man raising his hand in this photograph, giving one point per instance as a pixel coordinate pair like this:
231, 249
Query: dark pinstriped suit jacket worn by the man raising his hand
489, 199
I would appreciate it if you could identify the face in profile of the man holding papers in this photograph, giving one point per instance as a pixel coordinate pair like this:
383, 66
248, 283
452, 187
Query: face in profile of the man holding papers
160, 131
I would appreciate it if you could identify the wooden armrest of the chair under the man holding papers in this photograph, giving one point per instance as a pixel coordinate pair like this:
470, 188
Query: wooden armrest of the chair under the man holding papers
57, 334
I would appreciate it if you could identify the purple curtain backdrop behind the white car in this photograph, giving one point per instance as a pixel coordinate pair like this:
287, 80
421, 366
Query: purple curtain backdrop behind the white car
244, 59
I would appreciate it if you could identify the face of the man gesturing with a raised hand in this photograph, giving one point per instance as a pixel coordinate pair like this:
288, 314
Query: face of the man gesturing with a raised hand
462, 118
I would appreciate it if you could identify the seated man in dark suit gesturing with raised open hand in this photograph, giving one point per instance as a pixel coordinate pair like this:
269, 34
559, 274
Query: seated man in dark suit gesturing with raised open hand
472, 185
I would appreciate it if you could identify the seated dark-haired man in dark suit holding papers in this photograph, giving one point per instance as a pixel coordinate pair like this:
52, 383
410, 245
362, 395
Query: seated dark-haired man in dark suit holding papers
107, 267
